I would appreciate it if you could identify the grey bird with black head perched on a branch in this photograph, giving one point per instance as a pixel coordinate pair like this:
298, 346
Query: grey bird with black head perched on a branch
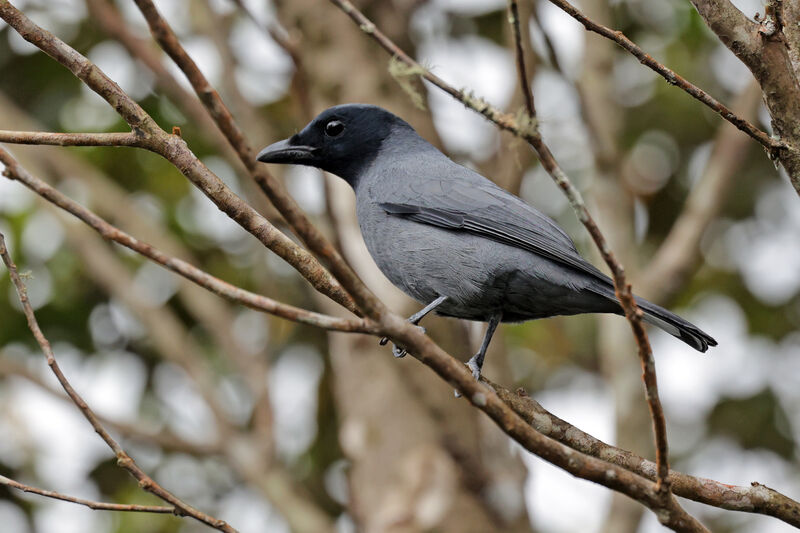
452, 239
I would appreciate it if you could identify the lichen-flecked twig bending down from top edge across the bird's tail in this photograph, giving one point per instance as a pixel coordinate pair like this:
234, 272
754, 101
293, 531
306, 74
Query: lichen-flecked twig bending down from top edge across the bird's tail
528, 130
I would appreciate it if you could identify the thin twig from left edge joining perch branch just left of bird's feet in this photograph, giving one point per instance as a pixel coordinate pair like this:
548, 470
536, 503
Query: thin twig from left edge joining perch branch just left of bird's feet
222, 288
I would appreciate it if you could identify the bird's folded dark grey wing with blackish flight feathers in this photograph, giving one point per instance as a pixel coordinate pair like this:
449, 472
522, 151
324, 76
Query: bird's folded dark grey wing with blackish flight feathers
518, 233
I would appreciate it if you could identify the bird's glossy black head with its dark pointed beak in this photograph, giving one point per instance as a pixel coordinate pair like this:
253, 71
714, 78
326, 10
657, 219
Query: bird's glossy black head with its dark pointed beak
343, 140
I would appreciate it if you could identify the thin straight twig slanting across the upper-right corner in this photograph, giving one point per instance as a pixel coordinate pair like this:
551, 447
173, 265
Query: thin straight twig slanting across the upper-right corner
772, 145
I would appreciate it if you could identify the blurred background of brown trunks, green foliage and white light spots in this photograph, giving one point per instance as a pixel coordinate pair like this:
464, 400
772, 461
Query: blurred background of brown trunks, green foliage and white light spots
275, 426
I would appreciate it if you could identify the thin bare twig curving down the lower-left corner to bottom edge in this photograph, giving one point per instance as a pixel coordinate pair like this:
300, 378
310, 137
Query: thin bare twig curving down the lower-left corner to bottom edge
123, 459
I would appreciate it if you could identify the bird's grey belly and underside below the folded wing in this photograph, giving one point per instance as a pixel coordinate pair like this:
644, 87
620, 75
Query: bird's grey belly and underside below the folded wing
479, 276
